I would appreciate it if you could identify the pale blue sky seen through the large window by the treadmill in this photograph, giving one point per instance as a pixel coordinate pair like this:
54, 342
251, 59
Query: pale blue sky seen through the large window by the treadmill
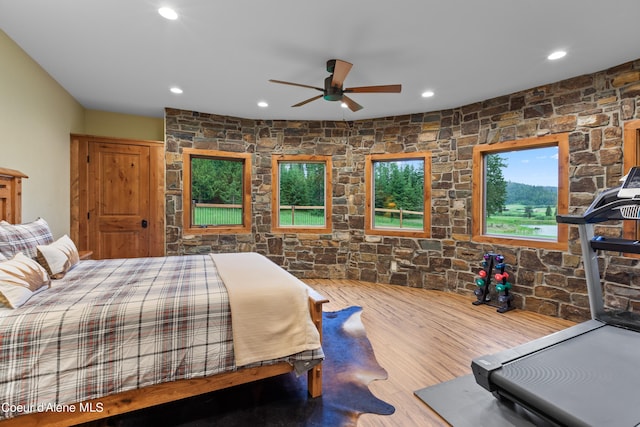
538, 166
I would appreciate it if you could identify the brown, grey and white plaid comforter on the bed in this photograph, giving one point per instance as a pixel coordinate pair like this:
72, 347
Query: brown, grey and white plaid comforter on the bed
114, 325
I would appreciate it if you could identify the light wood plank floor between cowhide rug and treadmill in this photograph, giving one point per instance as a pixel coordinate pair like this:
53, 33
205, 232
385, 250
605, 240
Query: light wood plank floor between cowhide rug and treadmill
424, 337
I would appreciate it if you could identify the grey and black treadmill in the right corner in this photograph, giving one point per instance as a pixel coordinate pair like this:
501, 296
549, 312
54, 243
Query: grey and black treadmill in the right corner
588, 374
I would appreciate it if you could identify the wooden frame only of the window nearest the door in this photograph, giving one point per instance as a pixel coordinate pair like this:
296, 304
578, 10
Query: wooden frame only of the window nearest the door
245, 227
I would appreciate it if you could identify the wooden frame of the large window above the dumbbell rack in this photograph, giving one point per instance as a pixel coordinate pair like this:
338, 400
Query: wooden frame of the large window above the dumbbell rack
478, 190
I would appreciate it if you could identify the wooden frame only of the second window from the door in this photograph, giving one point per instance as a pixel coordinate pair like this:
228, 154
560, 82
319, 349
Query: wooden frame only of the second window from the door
275, 193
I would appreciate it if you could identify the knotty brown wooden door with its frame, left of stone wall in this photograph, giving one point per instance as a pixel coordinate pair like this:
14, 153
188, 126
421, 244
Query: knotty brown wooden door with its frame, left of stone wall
117, 197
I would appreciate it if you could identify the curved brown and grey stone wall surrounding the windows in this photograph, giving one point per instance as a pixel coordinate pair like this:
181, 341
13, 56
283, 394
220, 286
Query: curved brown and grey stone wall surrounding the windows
591, 108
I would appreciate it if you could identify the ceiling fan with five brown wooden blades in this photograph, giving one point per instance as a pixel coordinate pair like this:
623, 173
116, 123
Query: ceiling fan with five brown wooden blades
333, 90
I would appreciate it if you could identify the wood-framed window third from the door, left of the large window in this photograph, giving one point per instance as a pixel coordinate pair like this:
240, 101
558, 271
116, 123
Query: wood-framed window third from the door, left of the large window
398, 198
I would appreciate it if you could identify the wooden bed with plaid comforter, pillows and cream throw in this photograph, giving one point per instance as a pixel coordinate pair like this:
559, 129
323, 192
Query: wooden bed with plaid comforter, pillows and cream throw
110, 336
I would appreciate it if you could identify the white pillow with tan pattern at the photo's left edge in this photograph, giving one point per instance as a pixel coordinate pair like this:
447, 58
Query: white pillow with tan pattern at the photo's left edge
20, 278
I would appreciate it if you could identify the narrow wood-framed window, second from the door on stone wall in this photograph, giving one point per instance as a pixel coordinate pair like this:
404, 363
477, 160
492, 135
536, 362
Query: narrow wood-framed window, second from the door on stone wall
301, 196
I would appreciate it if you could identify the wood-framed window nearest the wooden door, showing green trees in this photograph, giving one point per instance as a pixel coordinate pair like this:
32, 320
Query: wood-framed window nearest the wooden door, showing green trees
217, 192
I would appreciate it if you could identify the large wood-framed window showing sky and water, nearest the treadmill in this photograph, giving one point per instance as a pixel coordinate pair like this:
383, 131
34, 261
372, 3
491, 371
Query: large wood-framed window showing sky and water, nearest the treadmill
518, 189
